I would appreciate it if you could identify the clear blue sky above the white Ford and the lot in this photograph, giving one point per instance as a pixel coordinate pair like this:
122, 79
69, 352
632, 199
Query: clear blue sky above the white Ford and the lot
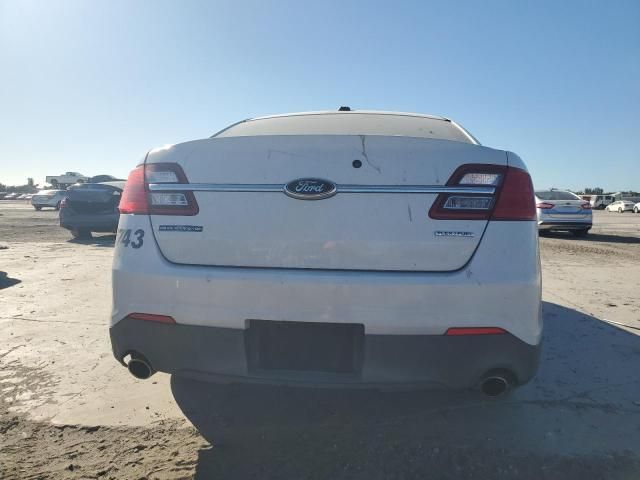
91, 86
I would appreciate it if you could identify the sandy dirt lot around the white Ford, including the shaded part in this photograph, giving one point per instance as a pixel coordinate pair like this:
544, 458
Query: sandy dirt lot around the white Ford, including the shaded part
69, 410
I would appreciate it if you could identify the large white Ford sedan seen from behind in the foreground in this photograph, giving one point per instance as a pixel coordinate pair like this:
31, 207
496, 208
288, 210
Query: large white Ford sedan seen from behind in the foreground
336, 248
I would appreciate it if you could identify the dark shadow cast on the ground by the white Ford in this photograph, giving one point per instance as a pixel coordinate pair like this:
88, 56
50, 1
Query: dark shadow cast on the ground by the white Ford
577, 419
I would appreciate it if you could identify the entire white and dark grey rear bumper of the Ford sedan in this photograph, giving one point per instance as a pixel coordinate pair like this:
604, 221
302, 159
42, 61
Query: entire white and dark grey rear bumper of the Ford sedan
403, 315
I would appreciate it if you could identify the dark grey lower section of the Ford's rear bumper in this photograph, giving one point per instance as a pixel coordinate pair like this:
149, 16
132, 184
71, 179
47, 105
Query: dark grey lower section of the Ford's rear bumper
222, 355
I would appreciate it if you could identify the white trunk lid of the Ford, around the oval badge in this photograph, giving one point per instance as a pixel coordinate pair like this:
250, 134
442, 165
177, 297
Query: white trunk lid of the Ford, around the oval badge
378, 220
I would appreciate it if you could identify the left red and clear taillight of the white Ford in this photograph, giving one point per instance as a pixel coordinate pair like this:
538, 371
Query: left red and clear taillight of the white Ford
155, 189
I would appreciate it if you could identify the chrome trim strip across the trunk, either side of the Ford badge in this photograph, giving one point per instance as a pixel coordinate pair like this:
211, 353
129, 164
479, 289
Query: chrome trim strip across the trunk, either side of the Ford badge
242, 187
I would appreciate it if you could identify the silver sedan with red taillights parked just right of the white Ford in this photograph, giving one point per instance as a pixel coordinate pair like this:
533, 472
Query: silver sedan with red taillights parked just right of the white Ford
560, 210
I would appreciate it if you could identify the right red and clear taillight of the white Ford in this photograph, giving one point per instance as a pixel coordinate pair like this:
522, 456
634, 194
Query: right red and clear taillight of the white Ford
509, 195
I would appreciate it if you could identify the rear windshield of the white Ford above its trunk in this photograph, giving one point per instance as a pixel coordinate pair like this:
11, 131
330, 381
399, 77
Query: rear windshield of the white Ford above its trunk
350, 124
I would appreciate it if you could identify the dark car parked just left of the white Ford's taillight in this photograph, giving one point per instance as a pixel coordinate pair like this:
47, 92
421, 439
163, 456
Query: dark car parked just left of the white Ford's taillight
91, 207
